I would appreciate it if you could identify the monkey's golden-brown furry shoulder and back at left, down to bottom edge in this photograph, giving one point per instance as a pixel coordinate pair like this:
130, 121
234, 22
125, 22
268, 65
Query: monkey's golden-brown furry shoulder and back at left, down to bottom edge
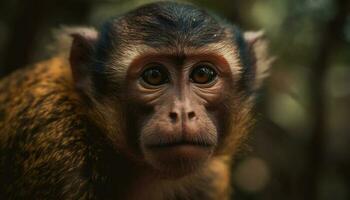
42, 133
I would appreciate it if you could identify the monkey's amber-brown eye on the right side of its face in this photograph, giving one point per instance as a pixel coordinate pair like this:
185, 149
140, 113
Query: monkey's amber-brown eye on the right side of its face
203, 74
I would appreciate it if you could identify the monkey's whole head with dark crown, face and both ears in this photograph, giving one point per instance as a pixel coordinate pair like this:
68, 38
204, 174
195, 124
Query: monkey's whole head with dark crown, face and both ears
169, 84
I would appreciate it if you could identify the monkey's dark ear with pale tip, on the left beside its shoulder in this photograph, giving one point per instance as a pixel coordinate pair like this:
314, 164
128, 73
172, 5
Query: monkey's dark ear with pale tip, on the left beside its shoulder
81, 52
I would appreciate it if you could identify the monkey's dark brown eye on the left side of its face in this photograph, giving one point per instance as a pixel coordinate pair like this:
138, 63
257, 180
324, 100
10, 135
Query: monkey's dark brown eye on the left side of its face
155, 76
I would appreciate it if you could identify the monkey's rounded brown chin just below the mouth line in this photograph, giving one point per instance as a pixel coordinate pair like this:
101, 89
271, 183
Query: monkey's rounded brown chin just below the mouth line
177, 161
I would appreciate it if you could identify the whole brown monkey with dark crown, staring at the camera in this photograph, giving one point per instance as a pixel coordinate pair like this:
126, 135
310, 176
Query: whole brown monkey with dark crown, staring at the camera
151, 106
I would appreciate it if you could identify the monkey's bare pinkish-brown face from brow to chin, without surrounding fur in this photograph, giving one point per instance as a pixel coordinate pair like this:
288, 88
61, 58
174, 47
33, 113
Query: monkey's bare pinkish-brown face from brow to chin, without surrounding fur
178, 103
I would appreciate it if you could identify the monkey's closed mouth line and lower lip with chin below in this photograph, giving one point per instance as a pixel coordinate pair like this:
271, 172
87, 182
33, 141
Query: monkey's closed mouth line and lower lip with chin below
178, 156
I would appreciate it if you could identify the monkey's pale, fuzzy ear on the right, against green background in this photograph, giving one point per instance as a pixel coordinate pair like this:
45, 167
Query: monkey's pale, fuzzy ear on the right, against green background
258, 48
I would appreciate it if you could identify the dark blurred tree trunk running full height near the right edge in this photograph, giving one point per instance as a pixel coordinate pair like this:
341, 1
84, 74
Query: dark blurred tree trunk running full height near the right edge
328, 42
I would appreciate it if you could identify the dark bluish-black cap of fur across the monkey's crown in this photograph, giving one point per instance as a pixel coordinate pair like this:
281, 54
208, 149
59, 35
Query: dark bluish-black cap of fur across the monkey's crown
163, 24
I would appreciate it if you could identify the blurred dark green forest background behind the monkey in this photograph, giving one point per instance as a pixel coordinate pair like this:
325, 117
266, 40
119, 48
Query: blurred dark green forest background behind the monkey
300, 147
